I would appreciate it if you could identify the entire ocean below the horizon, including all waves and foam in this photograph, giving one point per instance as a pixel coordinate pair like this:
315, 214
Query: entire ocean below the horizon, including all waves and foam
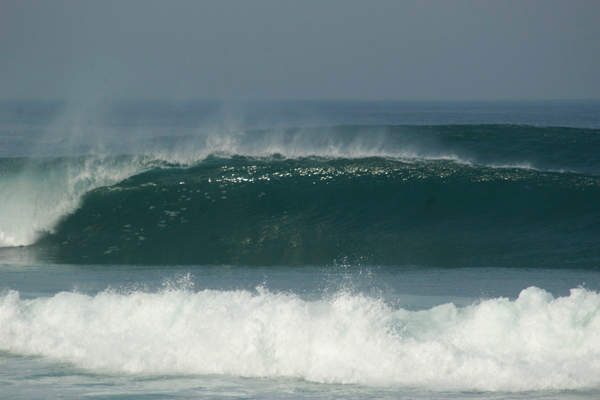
299, 249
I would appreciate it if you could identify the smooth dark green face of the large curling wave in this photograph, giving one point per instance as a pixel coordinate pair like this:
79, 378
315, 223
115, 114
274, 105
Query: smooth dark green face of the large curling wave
319, 212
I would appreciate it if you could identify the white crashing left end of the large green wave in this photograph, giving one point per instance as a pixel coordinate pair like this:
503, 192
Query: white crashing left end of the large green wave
35, 197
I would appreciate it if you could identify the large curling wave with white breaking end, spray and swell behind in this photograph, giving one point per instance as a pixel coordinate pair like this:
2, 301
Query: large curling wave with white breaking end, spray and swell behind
443, 196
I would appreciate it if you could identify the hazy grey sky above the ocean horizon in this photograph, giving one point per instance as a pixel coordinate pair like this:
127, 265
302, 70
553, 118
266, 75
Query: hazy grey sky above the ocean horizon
536, 49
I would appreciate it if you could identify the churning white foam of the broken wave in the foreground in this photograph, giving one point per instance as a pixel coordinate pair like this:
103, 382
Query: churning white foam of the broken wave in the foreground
535, 342
